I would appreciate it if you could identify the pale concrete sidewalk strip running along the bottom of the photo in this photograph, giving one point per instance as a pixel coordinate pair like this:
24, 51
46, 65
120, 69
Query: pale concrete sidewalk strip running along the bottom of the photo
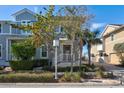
88, 84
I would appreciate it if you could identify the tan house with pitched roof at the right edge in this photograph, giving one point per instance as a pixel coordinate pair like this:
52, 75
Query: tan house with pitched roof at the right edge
112, 34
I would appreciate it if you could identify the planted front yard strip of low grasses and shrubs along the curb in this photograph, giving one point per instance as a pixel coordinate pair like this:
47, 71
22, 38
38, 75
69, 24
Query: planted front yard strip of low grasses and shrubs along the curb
46, 75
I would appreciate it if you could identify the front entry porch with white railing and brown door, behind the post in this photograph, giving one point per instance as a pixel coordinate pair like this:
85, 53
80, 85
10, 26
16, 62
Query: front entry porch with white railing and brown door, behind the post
66, 55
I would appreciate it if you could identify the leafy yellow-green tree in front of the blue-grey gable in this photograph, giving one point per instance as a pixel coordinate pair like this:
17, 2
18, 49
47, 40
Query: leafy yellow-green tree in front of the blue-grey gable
43, 29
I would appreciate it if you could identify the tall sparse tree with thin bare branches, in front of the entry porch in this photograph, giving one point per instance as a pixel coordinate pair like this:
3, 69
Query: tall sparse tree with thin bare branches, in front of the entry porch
72, 19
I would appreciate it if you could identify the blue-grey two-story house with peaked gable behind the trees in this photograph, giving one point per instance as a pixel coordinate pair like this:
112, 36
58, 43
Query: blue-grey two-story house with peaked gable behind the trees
8, 35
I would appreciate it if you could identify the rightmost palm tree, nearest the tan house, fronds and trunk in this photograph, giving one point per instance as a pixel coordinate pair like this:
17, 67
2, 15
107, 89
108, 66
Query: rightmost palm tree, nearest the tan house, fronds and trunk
92, 39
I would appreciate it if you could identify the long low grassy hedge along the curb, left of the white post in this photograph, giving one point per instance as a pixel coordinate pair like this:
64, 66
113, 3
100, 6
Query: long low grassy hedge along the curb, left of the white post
27, 77
